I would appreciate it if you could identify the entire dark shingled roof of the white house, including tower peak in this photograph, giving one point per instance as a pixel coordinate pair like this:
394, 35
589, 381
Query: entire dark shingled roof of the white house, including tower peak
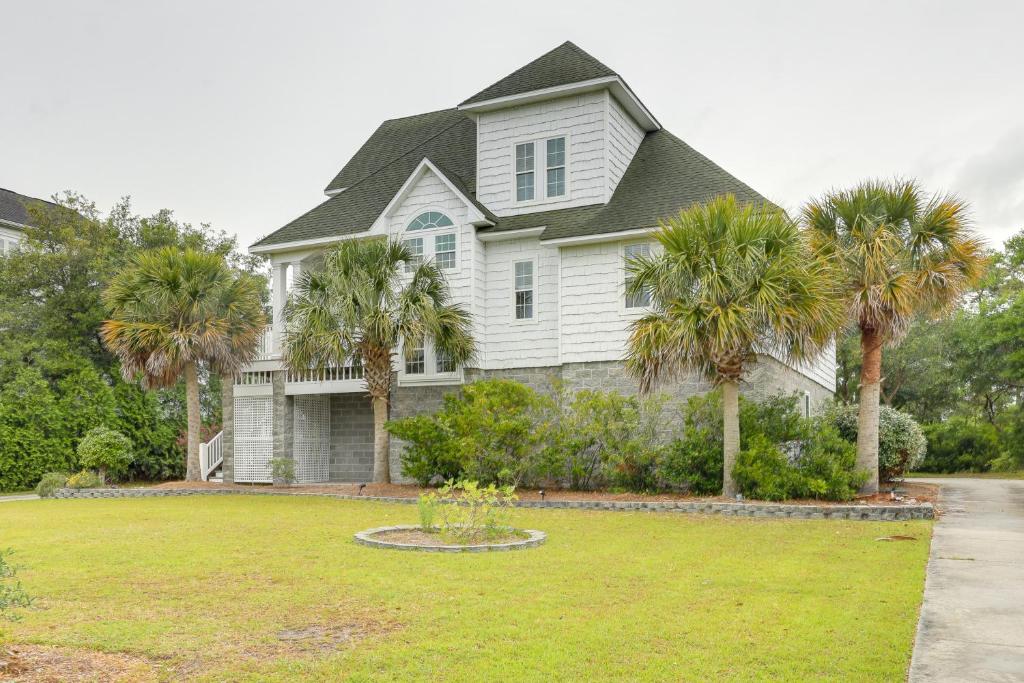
665, 176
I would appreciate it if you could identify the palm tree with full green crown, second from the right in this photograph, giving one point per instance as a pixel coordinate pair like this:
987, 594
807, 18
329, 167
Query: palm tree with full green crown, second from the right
731, 281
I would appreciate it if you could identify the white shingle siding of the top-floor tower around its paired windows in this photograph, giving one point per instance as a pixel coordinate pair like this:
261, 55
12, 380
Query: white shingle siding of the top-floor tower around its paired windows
580, 118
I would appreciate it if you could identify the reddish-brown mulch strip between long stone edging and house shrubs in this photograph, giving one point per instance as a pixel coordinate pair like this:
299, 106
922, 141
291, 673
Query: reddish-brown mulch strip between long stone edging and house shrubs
913, 493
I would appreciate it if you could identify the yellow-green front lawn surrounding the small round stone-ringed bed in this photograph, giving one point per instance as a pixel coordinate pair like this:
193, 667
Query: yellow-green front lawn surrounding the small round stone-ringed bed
202, 587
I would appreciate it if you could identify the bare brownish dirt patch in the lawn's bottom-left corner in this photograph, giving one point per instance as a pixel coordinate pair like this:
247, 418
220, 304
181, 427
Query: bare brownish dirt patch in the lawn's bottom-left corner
39, 664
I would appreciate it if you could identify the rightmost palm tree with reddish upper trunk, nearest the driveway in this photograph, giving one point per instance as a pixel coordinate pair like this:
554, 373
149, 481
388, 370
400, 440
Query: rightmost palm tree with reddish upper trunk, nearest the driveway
899, 253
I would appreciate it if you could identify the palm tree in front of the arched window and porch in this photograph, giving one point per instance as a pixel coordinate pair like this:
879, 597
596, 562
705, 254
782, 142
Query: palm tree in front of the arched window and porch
363, 306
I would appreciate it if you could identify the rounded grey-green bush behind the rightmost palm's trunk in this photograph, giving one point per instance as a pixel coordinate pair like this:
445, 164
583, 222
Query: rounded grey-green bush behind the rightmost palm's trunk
902, 442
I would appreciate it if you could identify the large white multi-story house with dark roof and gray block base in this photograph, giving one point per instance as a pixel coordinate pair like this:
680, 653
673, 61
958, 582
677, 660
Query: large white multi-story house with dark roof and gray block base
530, 195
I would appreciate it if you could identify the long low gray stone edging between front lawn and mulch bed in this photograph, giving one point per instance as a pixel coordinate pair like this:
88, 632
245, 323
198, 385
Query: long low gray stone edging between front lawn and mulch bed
778, 510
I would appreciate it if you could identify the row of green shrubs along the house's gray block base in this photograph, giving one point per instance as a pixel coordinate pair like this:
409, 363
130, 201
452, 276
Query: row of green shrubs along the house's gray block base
503, 433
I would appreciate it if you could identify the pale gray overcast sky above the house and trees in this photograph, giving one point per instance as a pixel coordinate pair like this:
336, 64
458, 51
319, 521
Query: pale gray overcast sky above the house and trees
239, 114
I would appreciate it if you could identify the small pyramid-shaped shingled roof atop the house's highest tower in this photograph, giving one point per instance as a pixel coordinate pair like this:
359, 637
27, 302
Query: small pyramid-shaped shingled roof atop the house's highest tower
567, 64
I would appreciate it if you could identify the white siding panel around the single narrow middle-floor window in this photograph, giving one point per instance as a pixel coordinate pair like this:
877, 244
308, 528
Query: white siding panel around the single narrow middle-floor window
513, 344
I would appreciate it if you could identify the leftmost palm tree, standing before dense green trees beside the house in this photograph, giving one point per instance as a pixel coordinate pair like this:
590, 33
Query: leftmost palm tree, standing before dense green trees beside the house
174, 311
